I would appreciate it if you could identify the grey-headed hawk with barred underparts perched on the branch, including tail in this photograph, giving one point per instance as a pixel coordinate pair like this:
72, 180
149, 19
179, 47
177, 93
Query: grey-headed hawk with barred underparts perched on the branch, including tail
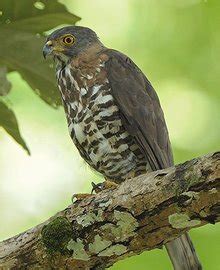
114, 115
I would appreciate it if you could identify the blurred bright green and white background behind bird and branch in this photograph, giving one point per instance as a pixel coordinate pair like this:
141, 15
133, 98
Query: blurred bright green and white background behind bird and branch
177, 45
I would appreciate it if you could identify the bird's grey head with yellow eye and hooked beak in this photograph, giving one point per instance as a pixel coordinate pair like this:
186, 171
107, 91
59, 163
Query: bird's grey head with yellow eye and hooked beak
69, 42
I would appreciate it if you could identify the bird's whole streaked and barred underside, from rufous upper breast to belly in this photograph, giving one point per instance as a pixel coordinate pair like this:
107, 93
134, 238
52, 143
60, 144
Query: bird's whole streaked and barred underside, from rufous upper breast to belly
94, 122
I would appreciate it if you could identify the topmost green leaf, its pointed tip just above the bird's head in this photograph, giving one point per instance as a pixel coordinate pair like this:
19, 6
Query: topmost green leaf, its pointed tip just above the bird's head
35, 16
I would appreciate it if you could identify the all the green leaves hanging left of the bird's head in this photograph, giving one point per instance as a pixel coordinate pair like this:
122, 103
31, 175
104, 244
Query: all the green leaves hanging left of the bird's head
22, 27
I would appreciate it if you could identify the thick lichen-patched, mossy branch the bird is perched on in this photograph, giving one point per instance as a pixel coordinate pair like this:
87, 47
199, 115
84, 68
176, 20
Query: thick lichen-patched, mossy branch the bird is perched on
141, 214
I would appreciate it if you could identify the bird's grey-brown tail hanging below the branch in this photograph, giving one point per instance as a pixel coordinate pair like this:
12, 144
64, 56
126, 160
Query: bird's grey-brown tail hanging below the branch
182, 254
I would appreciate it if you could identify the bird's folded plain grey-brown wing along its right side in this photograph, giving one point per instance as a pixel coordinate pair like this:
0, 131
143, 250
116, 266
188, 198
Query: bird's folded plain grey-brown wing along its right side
140, 109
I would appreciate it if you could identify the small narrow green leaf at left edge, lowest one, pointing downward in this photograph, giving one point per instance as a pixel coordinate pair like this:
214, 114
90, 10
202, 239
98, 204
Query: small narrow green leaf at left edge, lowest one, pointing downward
9, 122
